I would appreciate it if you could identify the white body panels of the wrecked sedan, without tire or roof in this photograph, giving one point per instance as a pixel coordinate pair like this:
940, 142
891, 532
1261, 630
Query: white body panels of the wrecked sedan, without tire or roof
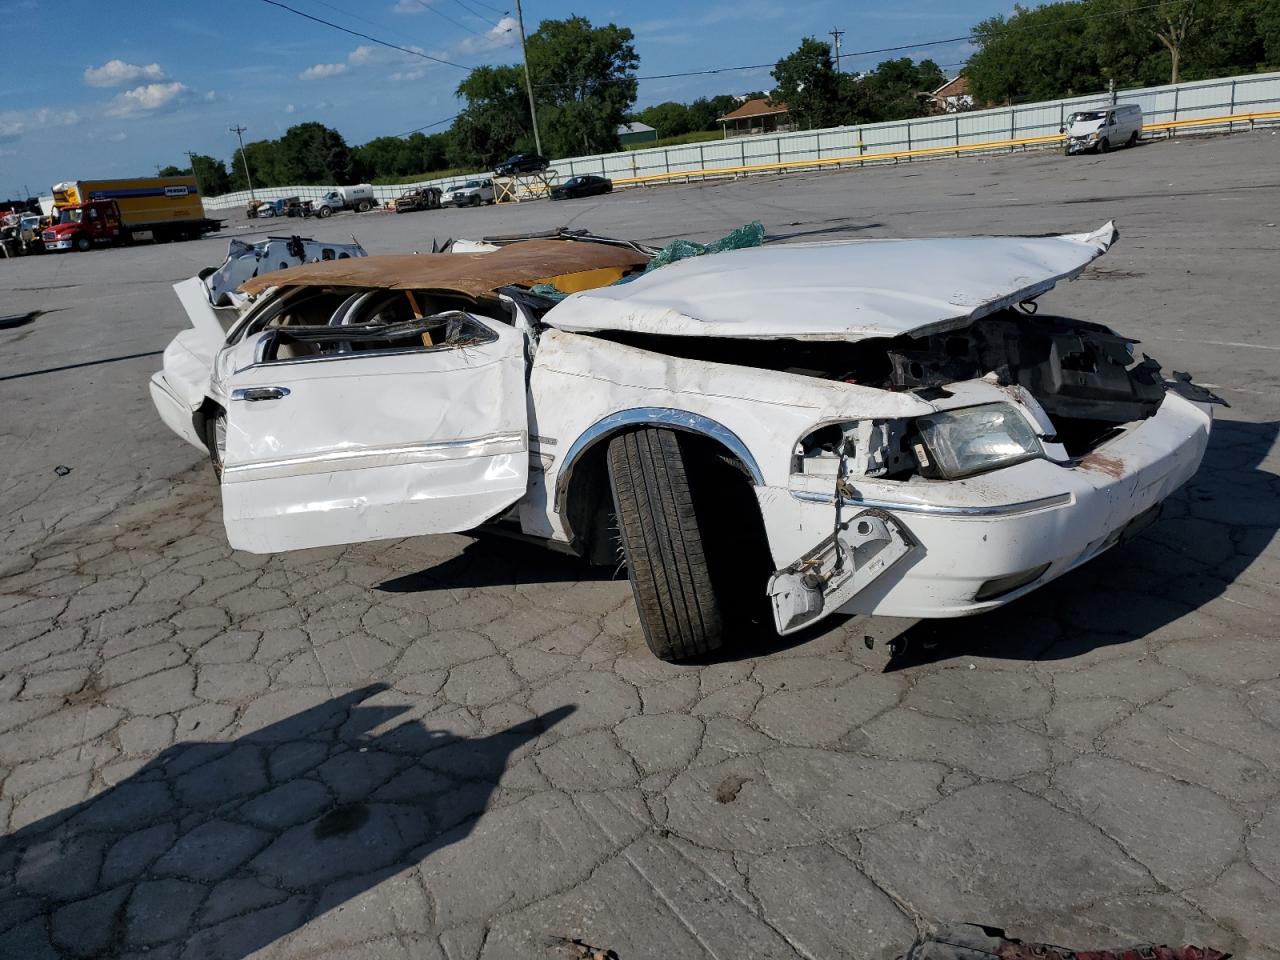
492, 423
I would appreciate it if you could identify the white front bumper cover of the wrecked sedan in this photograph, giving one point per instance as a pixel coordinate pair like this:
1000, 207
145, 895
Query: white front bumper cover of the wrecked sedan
1037, 519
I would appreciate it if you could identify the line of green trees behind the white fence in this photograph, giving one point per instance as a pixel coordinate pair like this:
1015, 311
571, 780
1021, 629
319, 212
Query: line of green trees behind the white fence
586, 86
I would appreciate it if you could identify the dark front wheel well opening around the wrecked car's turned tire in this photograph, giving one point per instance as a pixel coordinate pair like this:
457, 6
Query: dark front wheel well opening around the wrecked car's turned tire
721, 482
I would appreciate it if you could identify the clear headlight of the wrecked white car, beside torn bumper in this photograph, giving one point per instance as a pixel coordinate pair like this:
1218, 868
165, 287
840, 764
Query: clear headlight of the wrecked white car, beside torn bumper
976, 440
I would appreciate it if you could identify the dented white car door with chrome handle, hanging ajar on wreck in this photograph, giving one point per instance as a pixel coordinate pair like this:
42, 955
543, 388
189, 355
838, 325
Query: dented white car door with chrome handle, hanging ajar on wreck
346, 435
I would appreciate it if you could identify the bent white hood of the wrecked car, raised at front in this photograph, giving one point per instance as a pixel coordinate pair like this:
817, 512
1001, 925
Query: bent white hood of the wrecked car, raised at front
836, 291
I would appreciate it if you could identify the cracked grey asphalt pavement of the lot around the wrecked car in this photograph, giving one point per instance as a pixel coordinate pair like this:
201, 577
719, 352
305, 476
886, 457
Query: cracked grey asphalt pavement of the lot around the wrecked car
461, 748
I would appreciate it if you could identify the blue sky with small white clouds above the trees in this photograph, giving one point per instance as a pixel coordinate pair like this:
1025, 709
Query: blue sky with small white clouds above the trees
113, 88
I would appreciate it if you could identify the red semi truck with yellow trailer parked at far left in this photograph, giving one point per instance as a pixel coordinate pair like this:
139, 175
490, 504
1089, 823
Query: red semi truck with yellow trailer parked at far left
109, 213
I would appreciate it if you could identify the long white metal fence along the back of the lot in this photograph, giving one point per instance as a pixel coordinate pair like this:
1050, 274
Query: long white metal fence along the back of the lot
1172, 109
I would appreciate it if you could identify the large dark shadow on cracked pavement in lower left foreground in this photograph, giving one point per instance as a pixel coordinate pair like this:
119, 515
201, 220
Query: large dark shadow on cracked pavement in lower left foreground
216, 851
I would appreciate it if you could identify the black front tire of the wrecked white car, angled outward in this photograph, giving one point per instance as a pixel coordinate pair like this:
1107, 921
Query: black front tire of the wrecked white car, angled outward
666, 560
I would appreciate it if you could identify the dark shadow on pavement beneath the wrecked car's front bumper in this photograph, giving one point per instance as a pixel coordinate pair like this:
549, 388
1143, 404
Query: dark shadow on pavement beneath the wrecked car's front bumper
1213, 531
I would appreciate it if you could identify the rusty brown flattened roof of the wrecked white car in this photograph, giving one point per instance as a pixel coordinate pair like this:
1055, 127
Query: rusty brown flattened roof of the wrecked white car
472, 275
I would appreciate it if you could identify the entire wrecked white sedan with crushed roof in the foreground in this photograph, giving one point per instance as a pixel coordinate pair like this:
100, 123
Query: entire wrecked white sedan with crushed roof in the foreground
816, 427
